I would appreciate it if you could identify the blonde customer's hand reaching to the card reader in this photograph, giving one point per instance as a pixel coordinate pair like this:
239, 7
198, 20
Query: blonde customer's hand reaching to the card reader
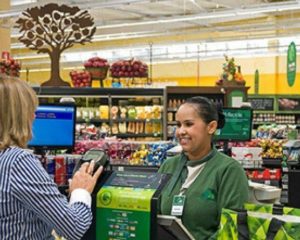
84, 177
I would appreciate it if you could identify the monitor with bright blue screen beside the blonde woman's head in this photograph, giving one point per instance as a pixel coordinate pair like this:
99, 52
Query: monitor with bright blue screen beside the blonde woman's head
53, 127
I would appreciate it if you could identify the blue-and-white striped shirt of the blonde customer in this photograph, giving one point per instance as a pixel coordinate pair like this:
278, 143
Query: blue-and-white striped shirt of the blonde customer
31, 205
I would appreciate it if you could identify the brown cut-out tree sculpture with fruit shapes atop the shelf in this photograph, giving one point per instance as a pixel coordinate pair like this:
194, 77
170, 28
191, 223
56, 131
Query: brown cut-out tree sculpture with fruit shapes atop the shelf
52, 29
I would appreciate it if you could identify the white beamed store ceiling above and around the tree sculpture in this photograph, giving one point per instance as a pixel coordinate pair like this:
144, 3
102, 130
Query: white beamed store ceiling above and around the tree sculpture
208, 20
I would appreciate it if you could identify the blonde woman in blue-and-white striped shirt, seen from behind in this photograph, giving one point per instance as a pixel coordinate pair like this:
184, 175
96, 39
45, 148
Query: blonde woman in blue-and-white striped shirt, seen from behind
30, 204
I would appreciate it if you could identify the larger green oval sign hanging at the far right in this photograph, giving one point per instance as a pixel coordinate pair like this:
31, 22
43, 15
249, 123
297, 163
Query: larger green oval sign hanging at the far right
291, 64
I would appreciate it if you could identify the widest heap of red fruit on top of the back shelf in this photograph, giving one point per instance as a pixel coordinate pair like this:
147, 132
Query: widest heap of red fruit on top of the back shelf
129, 69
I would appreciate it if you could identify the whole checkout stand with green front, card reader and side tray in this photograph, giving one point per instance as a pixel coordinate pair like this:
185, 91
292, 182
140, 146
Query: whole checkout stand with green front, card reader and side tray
124, 204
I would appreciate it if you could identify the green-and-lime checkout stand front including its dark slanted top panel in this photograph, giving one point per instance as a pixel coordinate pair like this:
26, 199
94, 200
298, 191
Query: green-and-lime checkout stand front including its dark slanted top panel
124, 206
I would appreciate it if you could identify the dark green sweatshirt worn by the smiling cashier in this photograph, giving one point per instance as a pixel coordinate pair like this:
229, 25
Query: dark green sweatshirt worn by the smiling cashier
222, 183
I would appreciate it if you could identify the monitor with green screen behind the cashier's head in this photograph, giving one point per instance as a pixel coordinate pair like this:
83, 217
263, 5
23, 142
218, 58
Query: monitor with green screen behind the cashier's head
238, 125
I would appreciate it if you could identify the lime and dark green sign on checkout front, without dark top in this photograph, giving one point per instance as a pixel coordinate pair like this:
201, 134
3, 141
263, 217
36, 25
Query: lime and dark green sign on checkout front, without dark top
123, 213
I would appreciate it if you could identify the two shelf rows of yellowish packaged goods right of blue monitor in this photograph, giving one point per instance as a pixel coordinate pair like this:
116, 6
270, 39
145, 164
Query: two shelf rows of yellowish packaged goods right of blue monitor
126, 120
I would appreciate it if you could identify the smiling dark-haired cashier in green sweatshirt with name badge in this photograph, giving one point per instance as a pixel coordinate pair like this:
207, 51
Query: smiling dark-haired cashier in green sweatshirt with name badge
203, 180
